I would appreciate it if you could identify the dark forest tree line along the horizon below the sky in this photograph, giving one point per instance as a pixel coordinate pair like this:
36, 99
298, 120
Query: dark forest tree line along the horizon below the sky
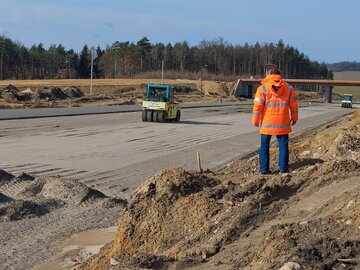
129, 59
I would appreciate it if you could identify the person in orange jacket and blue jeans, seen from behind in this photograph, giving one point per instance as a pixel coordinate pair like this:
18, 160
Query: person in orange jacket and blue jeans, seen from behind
274, 101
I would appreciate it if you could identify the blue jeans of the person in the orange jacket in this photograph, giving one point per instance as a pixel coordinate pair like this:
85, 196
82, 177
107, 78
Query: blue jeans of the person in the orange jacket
264, 156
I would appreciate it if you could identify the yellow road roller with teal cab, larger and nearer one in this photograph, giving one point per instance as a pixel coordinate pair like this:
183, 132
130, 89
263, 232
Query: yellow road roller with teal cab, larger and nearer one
159, 104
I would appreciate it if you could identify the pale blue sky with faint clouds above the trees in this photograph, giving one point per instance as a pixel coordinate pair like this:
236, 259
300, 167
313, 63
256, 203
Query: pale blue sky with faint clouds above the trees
324, 30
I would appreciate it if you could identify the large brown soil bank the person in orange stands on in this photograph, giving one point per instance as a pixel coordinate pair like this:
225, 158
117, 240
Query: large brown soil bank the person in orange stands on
236, 218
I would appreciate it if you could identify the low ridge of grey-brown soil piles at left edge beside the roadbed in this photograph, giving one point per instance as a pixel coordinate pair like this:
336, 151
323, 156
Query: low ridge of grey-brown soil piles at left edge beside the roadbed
25, 196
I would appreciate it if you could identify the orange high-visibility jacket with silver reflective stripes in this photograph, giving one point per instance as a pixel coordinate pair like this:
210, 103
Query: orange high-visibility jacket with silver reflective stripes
271, 108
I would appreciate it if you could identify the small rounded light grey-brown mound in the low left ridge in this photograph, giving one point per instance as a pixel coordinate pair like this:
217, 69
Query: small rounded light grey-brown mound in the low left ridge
68, 191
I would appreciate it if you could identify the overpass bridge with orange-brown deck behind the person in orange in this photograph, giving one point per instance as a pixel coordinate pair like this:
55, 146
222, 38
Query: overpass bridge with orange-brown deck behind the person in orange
246, 87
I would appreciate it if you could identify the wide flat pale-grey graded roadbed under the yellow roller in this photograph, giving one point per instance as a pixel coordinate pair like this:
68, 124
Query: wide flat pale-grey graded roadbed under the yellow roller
116, 152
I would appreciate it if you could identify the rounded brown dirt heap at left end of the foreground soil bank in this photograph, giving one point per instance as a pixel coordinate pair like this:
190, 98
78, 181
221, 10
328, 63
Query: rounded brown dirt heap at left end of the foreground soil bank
167, 195
